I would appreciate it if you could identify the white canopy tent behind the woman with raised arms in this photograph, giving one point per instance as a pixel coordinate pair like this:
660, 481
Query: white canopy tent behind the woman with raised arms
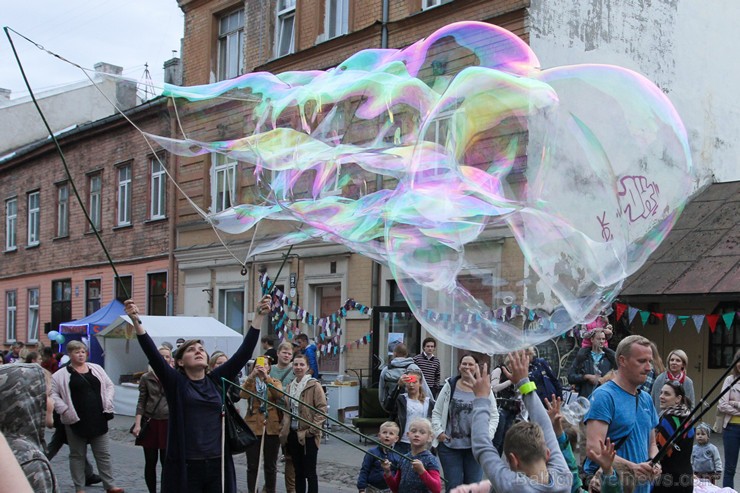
124, 357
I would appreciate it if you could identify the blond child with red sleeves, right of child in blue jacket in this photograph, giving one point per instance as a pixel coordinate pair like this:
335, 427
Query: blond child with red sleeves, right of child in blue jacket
421, 474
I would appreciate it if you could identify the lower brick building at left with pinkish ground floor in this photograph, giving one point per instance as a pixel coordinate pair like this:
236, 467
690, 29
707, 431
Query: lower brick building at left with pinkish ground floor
53, 268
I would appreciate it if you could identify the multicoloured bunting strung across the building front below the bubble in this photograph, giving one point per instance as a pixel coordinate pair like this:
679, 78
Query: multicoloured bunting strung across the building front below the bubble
328, 340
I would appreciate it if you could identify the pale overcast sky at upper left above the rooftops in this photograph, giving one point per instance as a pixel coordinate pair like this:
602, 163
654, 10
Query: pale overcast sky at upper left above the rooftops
127, 33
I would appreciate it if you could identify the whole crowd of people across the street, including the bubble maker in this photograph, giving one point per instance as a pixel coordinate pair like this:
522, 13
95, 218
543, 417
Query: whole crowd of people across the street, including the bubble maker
475, 431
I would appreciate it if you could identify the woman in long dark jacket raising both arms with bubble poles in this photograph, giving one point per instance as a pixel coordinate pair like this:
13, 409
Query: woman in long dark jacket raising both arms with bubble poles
194, 454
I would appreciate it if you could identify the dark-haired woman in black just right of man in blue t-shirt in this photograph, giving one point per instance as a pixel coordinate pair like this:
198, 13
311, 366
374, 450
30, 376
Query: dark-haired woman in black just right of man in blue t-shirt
677, 475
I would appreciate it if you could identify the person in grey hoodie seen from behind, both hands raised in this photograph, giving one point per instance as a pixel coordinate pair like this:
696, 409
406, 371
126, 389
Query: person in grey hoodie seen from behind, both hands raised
535, 464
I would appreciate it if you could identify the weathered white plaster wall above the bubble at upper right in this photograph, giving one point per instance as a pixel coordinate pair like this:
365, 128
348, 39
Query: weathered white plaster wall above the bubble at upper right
687, 47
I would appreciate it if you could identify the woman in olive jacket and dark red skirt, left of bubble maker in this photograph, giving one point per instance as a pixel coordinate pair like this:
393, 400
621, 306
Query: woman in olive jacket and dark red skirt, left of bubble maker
152, 408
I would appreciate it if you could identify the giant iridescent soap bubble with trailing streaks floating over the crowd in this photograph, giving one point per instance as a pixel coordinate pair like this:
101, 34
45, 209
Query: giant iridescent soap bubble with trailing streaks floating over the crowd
445, 159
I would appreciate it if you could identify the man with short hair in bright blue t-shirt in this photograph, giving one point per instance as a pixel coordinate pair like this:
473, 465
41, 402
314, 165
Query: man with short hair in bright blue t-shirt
627, 416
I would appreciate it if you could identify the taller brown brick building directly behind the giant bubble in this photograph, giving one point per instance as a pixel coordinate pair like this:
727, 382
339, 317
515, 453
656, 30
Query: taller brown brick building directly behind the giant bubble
224, 39
